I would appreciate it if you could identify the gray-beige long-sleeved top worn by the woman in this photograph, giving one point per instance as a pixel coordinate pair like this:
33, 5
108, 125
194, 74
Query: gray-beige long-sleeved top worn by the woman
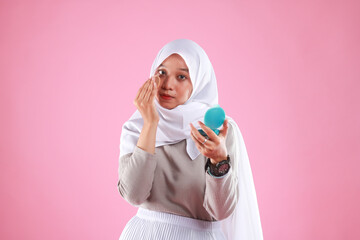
169, 181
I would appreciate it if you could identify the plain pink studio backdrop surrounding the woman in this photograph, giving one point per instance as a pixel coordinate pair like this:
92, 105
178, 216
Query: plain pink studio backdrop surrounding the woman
287, 71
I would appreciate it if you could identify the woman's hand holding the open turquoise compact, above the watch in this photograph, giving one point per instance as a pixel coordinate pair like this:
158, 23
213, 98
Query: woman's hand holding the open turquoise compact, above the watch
213, 148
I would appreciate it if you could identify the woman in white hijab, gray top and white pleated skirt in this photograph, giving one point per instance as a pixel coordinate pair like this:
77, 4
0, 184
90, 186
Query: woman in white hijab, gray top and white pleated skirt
168, 169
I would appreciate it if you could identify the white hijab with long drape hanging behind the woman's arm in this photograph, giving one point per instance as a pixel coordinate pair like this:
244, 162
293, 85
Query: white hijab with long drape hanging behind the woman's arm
173, 126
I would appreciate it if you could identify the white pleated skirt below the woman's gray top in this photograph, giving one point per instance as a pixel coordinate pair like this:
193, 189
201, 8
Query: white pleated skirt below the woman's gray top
147, 224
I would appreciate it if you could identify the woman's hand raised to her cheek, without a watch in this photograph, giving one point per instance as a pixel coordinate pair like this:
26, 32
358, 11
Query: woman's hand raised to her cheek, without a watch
144, 101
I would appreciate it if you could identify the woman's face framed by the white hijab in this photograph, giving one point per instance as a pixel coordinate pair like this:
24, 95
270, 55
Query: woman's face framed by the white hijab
174, 86
